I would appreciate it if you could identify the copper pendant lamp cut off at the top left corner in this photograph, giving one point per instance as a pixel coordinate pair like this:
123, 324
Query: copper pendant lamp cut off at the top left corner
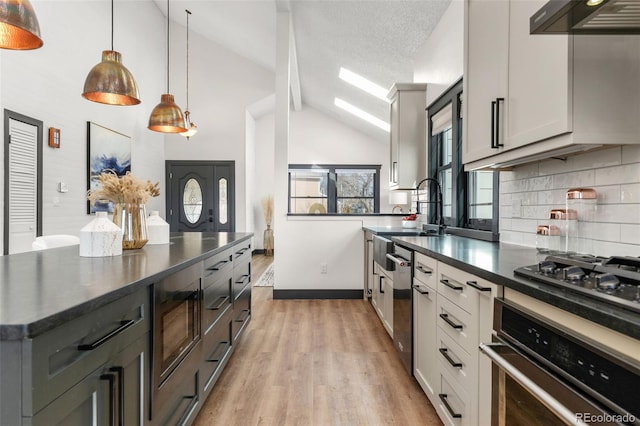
19, 28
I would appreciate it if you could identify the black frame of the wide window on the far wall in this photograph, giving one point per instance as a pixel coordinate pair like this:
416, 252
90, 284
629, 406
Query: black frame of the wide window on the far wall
332, 190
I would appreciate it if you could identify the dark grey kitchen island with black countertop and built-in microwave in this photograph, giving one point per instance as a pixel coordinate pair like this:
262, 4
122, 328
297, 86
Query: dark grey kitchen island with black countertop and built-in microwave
139, 338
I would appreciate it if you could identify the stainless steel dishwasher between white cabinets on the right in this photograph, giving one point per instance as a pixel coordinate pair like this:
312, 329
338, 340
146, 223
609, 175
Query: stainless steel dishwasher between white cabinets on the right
402, 306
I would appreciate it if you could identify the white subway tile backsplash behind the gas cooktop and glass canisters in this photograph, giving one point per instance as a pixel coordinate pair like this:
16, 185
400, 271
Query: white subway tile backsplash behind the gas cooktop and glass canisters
529, 192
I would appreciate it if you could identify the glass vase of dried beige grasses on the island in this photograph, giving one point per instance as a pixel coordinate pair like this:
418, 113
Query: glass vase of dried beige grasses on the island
129, 195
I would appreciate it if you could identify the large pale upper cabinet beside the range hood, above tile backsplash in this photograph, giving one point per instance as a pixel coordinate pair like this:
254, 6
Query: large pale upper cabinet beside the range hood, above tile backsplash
529, 97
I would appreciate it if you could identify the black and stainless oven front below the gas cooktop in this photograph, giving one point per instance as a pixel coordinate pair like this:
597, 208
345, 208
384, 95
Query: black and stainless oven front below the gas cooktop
544, 374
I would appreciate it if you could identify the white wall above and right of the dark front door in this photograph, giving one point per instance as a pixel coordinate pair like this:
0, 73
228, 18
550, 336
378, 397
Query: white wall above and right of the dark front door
222, 85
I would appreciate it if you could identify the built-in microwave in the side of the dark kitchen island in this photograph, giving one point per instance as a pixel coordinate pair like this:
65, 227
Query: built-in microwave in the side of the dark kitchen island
176, 321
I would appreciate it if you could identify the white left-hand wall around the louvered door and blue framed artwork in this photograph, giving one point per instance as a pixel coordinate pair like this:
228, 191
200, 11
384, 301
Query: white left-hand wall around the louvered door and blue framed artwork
46, 84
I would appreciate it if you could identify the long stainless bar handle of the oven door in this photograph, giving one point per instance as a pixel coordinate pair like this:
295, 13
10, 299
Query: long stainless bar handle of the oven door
549, 401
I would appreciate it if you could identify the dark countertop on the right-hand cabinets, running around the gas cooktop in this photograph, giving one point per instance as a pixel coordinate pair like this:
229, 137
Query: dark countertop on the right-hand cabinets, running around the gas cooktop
495, 262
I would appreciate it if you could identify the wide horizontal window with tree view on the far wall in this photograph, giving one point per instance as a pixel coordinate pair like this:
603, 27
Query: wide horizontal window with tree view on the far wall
335, 189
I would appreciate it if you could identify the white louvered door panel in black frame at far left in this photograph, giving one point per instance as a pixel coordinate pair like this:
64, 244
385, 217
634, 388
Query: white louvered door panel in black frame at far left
23, 185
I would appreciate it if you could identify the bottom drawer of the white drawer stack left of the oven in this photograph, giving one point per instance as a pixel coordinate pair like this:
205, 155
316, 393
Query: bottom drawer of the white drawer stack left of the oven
454, 404
